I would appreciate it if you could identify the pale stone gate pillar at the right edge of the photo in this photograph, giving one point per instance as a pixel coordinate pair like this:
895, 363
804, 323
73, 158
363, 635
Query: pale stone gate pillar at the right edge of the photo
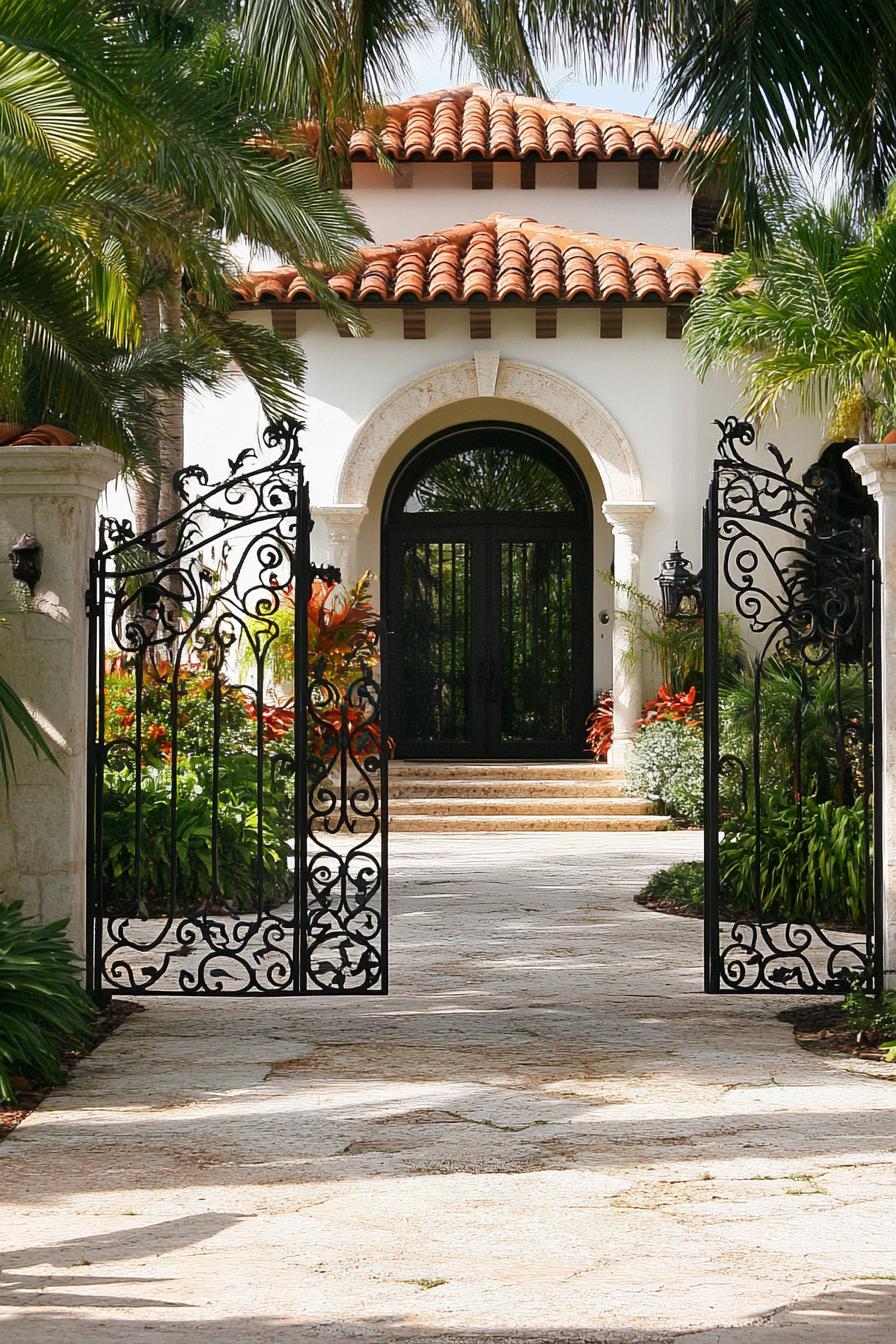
877, 464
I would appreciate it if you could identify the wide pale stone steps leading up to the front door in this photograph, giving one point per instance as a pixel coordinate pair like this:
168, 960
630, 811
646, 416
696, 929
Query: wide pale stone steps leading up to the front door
514, 796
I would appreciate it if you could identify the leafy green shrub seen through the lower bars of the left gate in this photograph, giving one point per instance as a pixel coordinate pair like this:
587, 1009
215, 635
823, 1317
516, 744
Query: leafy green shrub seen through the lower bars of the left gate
237, 839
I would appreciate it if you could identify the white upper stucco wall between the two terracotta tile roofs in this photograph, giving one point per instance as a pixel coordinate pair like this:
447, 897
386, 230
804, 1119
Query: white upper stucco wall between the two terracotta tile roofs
441, 196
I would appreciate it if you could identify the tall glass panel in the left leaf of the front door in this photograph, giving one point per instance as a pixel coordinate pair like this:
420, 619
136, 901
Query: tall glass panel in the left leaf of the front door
436, 642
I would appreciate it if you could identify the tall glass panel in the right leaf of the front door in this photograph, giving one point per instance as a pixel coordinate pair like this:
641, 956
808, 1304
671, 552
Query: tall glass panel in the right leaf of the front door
537, 642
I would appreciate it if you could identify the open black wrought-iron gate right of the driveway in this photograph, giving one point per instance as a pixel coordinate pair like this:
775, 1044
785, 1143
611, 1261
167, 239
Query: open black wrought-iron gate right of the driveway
792, 869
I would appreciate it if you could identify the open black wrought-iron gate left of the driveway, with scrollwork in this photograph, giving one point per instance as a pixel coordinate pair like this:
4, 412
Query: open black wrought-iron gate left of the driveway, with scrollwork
236, 798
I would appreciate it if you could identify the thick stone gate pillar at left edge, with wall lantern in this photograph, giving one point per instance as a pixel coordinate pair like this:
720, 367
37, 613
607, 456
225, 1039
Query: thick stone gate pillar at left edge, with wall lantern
50, 493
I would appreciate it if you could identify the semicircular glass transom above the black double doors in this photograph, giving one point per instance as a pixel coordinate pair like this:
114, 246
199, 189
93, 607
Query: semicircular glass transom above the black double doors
488, 479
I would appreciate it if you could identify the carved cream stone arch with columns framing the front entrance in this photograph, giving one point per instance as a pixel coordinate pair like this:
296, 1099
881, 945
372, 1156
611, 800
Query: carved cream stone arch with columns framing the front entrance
490, 376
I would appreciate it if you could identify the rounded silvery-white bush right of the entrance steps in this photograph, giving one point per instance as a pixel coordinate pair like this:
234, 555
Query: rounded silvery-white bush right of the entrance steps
666, 765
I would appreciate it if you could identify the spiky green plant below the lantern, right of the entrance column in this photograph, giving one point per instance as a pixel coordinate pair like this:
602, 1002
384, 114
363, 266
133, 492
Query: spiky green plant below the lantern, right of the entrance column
674, 646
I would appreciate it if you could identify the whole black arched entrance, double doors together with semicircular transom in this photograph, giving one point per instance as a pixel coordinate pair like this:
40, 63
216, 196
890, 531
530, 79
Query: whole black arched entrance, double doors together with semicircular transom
487, 593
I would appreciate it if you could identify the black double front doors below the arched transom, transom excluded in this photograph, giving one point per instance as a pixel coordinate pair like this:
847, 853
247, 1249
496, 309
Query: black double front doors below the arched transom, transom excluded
488, 636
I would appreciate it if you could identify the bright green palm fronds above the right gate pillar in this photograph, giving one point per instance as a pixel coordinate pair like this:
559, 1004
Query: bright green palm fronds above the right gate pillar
811, 318
